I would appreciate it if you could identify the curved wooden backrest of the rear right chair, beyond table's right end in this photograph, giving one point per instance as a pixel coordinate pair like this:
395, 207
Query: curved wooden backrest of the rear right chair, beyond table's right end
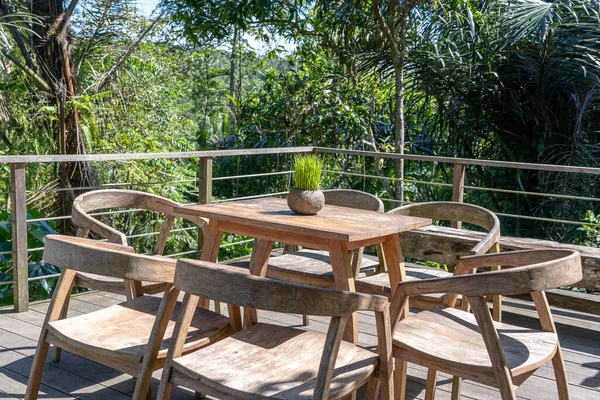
455, 212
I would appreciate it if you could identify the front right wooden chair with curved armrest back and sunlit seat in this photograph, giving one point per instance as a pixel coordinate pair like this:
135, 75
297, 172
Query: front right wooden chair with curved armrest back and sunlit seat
473, 346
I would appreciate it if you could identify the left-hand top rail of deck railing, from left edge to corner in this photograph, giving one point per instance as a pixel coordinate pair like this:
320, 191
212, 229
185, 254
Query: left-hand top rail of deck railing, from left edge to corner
152, 156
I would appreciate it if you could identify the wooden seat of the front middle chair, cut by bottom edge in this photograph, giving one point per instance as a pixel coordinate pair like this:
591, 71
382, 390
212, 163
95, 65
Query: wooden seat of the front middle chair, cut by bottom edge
271, 361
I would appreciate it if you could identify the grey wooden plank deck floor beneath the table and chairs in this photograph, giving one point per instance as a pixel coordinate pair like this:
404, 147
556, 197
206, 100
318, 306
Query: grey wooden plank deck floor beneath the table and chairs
76, 377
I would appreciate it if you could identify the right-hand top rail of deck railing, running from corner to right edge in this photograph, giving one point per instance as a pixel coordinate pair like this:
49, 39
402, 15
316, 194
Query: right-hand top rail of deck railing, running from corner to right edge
466, 161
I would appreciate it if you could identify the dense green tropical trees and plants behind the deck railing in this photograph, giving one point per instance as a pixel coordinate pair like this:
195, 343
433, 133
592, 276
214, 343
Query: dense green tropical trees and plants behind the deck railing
513, 80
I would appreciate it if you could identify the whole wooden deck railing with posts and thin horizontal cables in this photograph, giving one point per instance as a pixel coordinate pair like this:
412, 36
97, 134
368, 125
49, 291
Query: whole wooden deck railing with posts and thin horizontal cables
18, 188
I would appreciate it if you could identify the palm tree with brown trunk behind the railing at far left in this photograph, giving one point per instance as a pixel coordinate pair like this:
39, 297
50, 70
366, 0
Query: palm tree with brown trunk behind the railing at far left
46, 56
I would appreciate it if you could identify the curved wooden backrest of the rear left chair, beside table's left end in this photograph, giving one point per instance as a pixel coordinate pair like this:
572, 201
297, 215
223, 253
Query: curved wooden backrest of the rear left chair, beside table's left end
109, 199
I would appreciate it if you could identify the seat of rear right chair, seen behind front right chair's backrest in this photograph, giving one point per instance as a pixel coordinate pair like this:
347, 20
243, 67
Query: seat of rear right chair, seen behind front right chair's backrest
379, 284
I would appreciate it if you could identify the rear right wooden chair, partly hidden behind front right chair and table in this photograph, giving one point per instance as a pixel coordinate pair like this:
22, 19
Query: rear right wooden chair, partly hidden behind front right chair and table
414, 245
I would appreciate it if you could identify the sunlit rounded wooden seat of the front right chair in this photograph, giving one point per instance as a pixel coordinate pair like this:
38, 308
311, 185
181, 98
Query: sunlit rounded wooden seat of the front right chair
451, 340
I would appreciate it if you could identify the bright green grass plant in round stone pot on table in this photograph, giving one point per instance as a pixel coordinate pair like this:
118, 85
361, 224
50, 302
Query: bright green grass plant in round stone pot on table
306, 196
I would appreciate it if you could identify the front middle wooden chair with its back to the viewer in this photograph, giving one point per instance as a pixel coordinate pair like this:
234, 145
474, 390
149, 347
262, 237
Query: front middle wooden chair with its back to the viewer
269, 361
